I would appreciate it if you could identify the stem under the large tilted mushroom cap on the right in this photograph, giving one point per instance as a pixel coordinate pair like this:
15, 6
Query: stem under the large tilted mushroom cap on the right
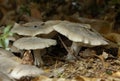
74, 50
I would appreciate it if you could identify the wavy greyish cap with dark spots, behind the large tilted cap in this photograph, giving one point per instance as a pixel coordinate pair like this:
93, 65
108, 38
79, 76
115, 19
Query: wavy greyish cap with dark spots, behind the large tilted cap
34, 28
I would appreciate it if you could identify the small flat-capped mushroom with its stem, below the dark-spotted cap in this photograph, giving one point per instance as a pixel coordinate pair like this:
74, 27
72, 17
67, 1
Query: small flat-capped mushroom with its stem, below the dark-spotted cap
34, 43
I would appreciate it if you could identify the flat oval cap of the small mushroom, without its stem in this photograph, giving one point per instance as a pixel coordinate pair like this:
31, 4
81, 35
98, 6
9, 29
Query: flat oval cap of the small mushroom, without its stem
33, 43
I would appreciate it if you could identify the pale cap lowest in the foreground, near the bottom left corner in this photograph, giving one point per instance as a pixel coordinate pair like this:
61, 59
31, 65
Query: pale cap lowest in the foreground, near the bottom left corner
26, 70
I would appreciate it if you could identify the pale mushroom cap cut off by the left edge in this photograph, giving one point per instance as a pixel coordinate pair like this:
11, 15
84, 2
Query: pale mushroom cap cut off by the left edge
8, 61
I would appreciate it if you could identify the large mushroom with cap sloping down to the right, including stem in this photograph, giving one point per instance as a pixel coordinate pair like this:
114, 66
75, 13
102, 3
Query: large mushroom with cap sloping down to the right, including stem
81, 35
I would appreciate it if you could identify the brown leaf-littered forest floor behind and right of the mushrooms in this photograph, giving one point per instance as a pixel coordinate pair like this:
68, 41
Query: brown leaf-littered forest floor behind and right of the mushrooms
96, 62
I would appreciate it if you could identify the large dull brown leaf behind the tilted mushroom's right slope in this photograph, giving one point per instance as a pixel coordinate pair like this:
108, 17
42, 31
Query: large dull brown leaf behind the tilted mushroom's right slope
101, 26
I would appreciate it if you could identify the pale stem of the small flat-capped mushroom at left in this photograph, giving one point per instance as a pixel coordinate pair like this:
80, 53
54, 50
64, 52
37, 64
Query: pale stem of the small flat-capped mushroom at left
37, 56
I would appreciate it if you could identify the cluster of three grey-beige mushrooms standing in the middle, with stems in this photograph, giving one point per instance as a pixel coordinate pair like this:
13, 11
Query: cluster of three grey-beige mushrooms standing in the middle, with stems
80, 34
